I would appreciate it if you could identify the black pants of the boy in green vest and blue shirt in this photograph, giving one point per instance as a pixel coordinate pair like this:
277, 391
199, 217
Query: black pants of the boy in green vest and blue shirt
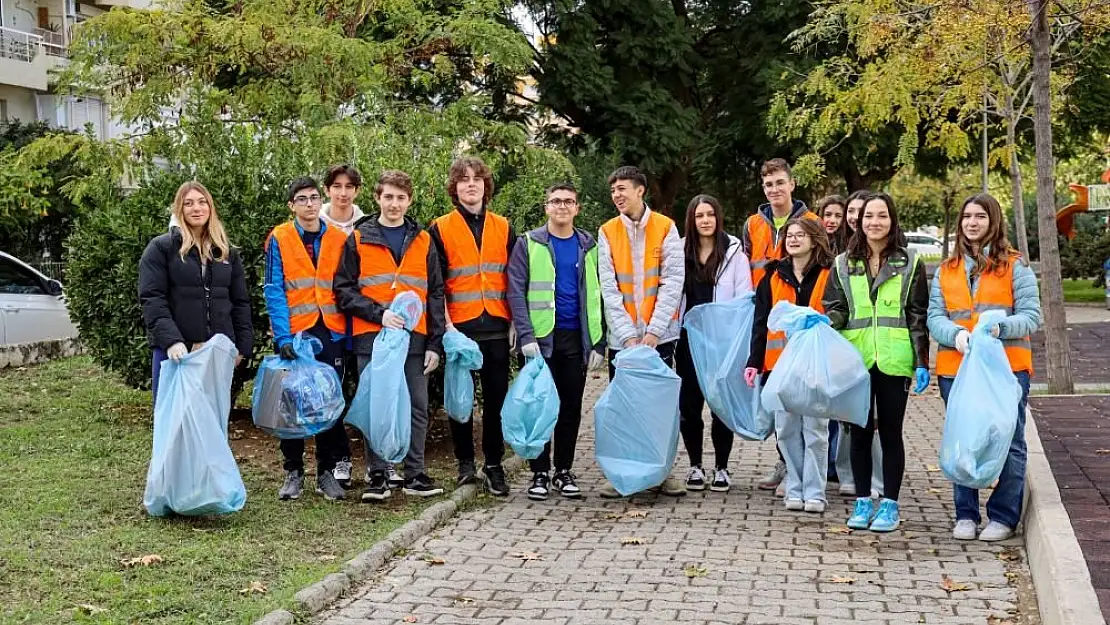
569, 369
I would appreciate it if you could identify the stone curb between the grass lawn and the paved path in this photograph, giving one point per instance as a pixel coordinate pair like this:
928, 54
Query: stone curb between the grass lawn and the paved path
317, 598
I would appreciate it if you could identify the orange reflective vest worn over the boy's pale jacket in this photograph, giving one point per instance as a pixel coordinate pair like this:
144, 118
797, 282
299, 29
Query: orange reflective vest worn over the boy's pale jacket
655, 234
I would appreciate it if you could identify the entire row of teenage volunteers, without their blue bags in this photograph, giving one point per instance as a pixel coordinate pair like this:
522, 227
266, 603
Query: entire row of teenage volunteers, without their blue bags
560, 294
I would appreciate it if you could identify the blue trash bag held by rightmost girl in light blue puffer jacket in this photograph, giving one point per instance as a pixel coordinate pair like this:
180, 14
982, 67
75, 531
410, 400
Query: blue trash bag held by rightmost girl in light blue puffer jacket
983, 411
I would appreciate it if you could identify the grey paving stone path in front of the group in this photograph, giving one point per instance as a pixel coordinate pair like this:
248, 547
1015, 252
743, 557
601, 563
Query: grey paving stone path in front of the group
707, 559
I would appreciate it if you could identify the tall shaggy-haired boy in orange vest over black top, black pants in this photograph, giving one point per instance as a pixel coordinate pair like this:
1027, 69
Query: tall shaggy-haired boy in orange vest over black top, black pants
475, 247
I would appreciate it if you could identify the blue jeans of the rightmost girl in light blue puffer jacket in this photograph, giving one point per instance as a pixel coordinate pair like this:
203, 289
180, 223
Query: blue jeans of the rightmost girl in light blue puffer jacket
1005, 503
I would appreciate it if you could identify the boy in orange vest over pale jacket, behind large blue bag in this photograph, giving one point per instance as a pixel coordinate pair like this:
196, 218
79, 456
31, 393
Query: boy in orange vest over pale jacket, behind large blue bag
642, 269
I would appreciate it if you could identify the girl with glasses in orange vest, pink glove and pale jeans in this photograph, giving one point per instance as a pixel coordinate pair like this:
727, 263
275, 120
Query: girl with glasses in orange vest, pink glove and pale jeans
799, 278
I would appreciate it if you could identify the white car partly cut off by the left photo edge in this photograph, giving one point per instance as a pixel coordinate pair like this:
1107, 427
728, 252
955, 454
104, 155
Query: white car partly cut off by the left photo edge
33, 307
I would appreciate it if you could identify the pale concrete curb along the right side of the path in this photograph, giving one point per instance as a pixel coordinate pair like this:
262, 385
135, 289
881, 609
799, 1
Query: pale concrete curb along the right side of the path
1063, 582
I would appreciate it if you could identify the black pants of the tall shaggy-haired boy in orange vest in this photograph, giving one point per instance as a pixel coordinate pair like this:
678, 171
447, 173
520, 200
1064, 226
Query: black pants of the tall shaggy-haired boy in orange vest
495, 379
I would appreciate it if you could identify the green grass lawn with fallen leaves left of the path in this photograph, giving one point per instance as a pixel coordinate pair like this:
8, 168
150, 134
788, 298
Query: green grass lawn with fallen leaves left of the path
75, 446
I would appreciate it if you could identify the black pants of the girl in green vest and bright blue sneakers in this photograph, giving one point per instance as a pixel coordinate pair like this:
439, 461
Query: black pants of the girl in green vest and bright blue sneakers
890, 396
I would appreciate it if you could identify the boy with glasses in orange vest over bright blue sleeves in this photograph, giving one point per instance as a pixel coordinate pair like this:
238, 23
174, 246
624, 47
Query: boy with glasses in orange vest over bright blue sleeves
302, 257
